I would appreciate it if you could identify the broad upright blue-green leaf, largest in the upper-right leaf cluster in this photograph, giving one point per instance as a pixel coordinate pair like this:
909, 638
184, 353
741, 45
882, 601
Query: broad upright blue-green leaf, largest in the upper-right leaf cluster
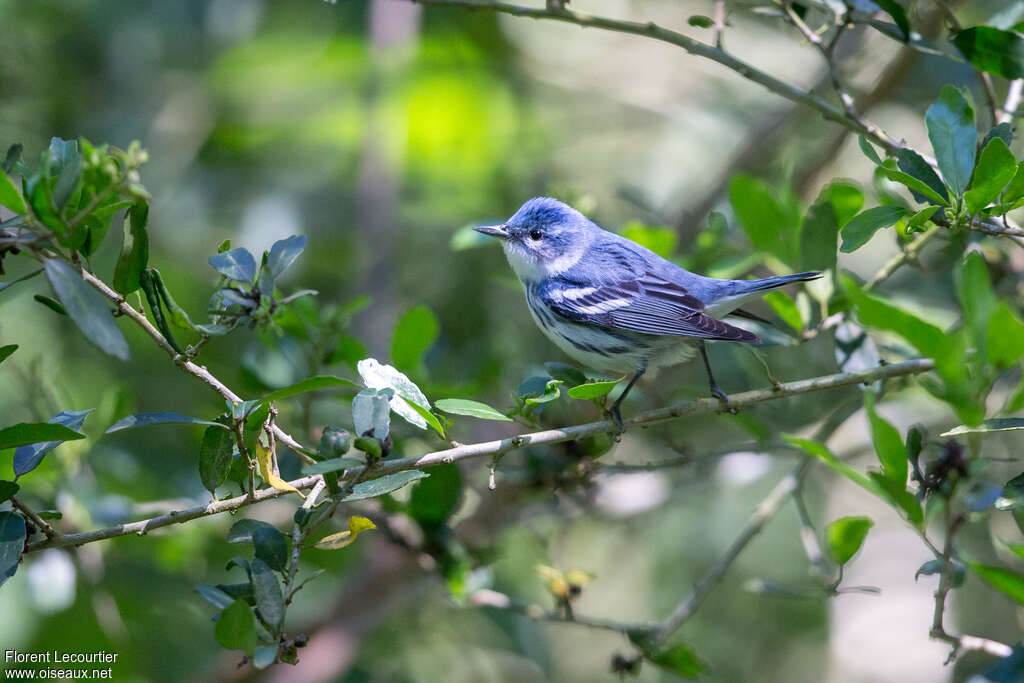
951, 129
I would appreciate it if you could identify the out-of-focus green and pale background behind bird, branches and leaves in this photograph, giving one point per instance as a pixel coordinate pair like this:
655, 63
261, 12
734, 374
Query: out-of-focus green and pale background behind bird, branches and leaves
379, 131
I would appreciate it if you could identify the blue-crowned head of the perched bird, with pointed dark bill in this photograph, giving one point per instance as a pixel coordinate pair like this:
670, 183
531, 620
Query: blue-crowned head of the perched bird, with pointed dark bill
544, 238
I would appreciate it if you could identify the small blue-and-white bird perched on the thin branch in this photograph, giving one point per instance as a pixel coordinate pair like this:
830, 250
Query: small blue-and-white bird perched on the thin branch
615, 306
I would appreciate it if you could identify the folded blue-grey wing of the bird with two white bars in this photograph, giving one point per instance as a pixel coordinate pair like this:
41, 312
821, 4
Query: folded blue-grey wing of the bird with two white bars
644, 303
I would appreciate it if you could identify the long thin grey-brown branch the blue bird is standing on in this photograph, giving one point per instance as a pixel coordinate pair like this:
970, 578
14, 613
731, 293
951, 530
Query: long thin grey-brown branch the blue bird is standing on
490, 449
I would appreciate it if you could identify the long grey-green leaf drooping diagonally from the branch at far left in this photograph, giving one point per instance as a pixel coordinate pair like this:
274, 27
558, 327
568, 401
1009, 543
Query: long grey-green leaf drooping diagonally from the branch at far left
88, 309
